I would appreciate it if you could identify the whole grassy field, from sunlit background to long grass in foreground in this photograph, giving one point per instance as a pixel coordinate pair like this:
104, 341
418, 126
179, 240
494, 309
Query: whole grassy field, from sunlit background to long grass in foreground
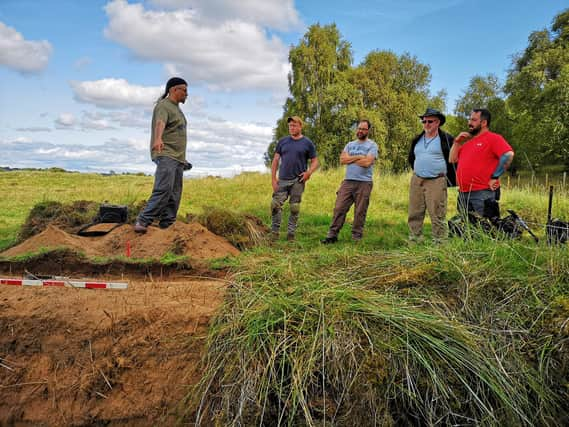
470, 332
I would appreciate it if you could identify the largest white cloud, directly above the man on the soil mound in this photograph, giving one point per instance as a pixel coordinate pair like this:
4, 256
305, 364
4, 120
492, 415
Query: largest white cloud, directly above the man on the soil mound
231, 54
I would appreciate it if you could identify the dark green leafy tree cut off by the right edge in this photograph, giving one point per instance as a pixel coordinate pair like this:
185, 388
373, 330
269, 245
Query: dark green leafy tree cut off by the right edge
538, 89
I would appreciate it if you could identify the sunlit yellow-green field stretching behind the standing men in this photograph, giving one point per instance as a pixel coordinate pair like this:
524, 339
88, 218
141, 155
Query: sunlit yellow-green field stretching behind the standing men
251, 193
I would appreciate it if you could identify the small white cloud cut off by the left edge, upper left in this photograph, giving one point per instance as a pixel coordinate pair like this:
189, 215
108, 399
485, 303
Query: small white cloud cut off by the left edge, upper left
20, 54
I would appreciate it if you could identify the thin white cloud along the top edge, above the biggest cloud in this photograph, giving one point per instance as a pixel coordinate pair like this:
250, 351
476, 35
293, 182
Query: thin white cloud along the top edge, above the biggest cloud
277, 14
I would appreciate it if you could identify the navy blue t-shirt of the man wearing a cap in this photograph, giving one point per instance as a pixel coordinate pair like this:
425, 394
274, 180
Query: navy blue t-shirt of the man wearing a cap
294, 156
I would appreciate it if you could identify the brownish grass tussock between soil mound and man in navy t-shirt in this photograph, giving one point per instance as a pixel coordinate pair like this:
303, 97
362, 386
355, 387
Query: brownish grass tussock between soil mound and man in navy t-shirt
242, 230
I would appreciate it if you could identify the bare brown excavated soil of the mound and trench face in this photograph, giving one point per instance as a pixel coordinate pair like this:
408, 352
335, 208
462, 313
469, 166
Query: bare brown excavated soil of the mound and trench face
86, 357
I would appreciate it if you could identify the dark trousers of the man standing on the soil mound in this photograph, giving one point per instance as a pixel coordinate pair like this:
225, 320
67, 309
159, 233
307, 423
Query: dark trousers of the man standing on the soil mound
166, 194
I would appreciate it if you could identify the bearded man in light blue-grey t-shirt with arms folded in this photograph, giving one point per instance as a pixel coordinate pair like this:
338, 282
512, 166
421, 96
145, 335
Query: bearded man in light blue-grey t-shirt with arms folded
359, 156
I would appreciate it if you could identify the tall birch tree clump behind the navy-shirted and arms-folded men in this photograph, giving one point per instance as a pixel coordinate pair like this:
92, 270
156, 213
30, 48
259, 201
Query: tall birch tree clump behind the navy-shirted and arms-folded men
332, 96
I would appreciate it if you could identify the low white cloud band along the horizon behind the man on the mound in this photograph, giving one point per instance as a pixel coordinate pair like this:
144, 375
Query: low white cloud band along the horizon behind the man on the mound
214, 148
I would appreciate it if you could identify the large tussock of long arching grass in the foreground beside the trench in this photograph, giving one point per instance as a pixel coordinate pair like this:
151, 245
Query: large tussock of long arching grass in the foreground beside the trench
308, 349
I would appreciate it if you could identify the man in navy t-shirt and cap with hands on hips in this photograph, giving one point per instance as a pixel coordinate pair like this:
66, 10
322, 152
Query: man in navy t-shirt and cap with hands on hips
293, 152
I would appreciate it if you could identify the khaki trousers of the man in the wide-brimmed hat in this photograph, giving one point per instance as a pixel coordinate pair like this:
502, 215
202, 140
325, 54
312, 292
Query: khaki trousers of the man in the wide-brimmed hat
428, 195
